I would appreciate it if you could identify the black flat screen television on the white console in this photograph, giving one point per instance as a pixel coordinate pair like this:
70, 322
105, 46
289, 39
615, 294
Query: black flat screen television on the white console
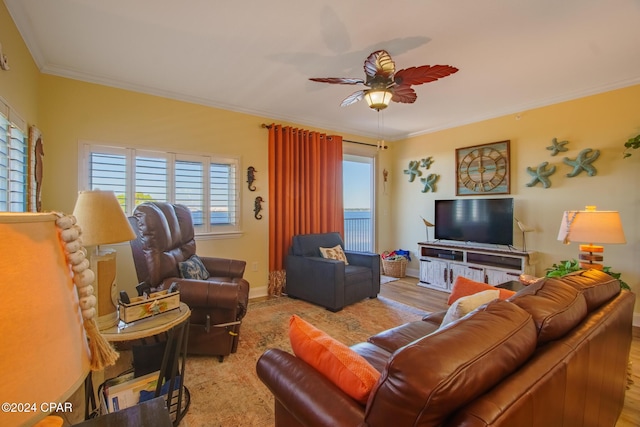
475, 220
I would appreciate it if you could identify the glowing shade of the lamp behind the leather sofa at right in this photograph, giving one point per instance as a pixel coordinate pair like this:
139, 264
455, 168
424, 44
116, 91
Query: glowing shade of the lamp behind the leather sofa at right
591, 226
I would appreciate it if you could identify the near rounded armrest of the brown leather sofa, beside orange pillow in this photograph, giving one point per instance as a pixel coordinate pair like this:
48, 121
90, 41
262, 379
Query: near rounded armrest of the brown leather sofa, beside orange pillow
306, 394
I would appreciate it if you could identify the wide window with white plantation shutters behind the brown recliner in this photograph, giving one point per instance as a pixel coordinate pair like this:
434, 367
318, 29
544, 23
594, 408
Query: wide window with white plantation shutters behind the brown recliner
203, 183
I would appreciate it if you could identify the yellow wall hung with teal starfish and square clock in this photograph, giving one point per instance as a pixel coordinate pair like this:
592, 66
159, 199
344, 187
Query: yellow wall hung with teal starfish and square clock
602, 122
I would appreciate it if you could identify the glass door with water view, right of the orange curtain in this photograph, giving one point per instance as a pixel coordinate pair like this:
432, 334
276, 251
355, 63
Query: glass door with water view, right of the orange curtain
358, 203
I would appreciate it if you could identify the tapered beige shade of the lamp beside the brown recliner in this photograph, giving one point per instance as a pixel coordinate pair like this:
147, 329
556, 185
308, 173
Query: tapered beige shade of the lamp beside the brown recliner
101, 218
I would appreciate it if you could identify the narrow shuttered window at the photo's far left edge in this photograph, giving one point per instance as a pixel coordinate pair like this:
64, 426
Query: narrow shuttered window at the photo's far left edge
13, 162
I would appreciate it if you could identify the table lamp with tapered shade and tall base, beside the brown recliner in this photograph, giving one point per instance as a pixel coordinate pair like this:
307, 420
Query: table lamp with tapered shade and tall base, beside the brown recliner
103, 222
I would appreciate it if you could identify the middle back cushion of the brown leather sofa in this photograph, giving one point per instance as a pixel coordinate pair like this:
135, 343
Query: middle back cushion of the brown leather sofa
556, 307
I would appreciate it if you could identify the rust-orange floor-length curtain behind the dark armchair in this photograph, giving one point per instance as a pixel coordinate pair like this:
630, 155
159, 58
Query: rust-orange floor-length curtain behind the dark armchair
305, 191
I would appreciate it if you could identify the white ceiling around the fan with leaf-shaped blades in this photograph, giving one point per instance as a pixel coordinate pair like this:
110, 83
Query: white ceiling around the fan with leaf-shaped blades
256, 56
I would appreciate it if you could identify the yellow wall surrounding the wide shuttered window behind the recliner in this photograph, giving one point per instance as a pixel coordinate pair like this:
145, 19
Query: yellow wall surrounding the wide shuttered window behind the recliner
83, 112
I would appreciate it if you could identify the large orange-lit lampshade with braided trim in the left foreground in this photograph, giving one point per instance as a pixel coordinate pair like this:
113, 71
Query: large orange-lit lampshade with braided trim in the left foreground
45, 356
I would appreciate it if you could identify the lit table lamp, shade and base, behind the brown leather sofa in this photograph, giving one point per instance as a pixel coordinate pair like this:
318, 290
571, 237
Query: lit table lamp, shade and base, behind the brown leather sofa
591, 226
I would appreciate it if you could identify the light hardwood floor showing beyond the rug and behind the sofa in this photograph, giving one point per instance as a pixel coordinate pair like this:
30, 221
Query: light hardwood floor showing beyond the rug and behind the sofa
406, 291
